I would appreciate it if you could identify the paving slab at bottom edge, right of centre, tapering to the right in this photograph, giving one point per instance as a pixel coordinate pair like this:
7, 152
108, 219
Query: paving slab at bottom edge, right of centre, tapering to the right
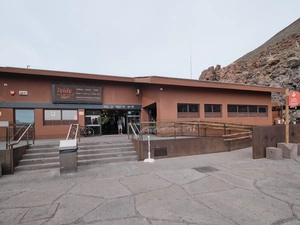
174, 204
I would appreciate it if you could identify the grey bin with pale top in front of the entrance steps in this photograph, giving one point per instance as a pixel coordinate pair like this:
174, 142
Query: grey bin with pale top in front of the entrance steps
68, 156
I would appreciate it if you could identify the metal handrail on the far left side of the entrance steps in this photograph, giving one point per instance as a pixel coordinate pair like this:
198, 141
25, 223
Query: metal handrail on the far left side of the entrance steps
11, 145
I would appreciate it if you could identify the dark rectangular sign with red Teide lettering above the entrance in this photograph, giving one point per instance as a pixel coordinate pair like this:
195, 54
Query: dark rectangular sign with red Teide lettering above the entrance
76, 94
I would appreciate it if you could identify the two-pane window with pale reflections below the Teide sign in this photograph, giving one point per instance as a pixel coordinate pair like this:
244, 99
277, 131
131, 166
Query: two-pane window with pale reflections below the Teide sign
60, 117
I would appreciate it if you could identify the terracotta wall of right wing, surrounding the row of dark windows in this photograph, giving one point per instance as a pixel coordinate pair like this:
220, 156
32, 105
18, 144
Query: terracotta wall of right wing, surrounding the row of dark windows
169, 97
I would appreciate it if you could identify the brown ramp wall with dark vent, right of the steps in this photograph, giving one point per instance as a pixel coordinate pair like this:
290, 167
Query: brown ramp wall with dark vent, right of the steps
162, 148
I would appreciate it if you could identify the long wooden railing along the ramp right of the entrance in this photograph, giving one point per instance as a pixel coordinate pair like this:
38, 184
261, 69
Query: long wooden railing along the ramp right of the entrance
227, 131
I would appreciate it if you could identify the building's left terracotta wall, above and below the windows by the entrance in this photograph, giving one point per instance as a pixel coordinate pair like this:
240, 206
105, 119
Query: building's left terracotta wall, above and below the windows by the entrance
40, 91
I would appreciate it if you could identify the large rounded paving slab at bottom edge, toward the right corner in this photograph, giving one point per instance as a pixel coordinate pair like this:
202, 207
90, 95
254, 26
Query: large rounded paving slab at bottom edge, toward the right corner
246, 207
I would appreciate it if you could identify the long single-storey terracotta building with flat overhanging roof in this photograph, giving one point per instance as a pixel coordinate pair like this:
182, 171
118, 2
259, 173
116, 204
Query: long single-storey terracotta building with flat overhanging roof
53, 100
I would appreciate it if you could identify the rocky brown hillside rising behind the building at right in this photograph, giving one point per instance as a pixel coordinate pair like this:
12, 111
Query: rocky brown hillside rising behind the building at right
276, 63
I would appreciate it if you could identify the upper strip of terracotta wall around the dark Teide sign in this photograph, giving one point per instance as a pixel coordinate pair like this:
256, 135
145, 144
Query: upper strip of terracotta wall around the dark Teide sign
40, 89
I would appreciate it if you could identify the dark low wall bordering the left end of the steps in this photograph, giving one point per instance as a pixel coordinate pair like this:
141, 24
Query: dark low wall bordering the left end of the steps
5, 158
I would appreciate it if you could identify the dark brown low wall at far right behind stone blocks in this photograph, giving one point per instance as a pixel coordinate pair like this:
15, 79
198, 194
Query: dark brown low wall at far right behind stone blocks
269, 136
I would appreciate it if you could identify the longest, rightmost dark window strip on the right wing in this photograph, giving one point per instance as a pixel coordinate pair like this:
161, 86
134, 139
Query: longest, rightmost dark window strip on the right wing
247, 111
